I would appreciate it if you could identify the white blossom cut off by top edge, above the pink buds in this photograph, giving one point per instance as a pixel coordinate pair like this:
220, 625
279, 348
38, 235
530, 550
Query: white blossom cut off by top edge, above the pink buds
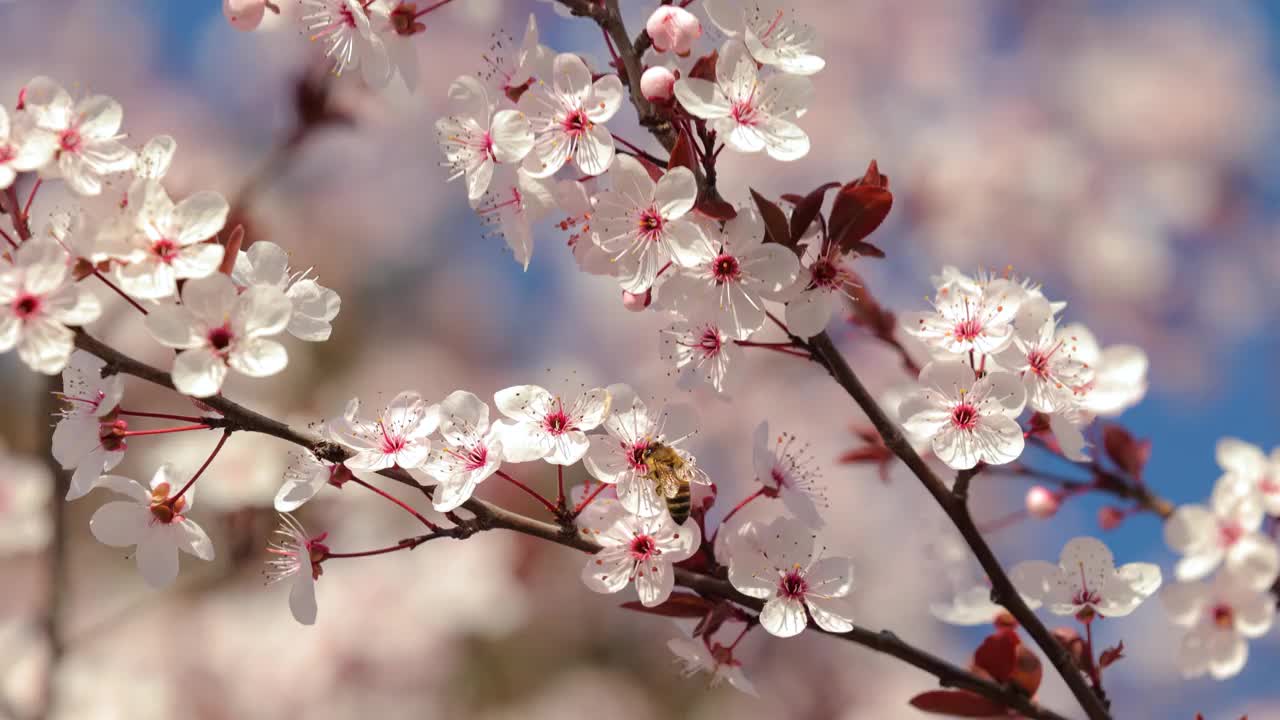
771, 34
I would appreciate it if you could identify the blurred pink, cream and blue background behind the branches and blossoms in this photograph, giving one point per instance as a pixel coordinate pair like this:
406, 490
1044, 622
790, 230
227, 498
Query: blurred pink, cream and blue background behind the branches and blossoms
1123, 154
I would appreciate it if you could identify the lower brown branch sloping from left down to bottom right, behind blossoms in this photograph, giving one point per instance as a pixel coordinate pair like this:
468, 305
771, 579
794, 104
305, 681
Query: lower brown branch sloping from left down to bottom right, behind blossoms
488, 517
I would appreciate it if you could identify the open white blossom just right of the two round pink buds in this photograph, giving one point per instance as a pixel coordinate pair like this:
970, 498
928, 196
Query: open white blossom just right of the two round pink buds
749, 116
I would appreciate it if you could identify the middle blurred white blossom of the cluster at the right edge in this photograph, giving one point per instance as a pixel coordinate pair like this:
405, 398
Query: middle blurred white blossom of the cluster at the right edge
1227, 531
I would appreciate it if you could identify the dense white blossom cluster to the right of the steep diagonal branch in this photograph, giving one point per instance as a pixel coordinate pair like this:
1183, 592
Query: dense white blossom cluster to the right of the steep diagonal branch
999, 348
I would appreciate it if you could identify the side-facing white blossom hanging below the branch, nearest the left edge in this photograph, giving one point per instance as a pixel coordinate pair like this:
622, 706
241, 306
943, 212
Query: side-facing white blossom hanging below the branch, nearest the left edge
88, 436
